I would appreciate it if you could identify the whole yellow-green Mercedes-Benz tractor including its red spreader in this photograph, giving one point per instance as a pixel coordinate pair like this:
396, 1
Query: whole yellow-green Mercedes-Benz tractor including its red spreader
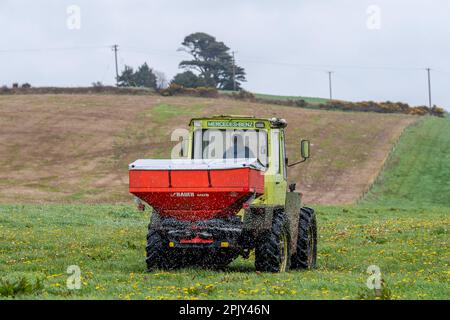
225, 195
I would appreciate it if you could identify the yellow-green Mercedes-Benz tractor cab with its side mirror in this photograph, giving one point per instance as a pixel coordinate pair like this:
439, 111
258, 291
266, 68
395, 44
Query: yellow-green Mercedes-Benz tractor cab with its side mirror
242, 137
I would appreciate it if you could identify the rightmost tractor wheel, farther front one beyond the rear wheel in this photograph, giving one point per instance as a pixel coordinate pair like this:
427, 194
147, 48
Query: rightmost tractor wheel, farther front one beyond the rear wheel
306, 255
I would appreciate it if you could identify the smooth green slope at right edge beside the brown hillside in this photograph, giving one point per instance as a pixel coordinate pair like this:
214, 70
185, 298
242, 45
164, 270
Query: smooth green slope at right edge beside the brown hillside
418, 172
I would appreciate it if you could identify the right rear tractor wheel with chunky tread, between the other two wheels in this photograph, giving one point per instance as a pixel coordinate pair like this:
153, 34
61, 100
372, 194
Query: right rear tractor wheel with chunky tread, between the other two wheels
272, 251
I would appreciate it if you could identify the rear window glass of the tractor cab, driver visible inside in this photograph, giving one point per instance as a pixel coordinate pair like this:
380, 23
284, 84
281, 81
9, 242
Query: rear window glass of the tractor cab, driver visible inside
231, 144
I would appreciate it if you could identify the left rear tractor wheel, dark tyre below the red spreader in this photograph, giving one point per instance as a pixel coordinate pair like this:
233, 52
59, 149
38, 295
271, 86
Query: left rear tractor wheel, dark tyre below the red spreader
157, 257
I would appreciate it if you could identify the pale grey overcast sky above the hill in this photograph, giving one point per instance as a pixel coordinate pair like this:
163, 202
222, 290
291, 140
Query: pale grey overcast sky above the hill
378, 50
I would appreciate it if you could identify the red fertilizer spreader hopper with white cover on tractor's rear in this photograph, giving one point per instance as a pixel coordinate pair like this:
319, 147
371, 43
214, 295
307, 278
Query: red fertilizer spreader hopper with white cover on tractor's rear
196, 189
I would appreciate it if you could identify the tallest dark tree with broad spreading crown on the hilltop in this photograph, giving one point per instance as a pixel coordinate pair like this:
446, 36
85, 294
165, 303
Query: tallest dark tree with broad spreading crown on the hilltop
212, 60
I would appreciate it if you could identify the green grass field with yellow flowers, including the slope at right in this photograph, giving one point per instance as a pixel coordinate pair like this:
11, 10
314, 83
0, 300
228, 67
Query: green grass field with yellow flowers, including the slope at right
402, 226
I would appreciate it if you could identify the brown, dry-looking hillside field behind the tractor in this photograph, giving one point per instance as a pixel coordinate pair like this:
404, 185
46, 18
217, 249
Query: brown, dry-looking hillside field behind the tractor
76, 148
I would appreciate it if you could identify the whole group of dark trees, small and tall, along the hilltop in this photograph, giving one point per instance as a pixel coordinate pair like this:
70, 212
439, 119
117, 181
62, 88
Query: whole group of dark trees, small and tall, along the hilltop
211, 65
